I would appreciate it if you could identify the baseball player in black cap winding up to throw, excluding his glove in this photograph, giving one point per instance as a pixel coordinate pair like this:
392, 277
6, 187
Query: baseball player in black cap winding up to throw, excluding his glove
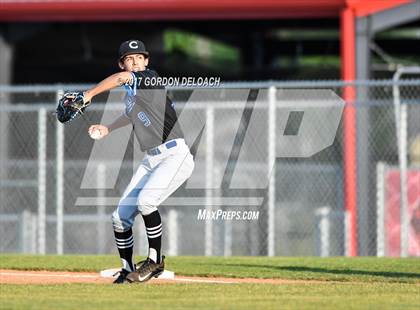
167, 164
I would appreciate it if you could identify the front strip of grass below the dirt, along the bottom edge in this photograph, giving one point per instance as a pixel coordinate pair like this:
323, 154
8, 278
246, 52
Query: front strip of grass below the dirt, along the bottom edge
211, 296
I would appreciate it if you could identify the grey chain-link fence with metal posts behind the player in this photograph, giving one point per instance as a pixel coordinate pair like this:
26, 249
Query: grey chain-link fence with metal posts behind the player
299, 210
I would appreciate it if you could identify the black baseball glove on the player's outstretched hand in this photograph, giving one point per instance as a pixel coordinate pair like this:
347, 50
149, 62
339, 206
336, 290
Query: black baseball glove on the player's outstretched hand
70, 105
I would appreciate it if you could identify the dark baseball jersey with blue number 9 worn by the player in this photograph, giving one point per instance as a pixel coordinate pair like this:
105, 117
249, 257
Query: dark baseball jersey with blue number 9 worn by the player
150, 111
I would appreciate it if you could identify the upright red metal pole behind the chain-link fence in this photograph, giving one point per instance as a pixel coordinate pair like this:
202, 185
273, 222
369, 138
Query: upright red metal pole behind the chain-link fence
348, 58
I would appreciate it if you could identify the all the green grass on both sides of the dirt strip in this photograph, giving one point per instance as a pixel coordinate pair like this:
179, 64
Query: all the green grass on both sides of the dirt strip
350, 283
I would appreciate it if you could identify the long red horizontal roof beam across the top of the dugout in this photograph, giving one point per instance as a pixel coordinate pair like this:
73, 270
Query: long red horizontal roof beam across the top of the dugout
110, 10
